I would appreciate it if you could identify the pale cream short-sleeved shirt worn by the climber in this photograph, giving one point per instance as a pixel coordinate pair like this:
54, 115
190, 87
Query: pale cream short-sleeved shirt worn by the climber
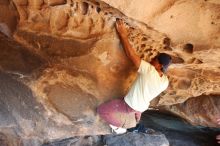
147, 86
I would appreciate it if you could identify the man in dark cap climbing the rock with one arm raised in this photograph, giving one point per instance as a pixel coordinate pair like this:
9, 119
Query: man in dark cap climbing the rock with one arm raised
151, 80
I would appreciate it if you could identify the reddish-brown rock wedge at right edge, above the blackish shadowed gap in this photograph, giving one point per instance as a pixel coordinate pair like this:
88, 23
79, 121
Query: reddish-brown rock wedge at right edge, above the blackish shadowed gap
201, 110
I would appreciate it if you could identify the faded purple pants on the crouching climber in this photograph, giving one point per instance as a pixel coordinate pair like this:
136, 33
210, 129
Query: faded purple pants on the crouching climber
117, 113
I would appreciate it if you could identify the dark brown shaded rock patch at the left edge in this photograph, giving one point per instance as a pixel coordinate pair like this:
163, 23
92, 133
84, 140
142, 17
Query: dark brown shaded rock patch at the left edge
16, 58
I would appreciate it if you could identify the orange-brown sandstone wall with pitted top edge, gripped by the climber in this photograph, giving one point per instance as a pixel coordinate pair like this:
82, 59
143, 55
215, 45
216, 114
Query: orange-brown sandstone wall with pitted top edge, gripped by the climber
85, 61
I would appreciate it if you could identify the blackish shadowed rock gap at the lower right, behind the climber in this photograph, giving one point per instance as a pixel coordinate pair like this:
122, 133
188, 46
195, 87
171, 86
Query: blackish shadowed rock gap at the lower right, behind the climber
178, 132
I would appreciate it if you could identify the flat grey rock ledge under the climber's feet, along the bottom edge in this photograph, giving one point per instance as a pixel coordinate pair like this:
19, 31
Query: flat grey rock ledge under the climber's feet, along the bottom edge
128, 139
